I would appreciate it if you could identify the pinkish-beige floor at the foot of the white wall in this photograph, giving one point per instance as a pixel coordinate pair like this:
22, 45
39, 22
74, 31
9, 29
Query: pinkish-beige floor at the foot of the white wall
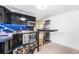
53, 48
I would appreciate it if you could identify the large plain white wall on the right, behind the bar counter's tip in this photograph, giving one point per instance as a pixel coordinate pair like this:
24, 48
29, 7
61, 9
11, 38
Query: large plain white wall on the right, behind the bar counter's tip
68, 26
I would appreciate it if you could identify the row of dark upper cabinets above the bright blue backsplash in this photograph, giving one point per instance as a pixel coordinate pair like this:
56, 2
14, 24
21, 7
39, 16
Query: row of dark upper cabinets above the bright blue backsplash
7, 16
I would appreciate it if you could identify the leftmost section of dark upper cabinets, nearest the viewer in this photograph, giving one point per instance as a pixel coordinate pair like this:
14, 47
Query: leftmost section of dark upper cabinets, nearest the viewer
5, 15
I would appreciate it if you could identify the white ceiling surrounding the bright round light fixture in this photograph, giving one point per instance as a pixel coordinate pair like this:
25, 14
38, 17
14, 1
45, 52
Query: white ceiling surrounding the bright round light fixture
51, 10
